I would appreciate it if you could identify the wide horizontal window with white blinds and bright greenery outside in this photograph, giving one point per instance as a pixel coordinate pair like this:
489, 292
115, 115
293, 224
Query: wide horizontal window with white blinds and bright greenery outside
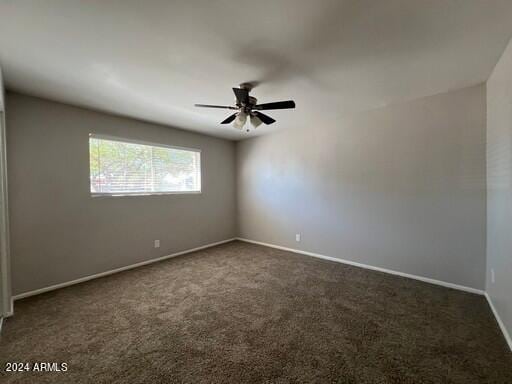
128, 168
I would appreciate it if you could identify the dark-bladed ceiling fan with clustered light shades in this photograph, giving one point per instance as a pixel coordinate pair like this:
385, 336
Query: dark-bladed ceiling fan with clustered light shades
247, 106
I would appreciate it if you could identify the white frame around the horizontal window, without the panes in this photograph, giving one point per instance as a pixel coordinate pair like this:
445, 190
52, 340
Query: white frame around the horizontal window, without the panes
153, 144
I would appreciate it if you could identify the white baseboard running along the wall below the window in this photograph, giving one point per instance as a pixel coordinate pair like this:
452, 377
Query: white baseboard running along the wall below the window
97, 275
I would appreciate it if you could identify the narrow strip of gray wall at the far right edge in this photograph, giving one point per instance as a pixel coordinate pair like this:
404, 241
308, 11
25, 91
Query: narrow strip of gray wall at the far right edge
499, 187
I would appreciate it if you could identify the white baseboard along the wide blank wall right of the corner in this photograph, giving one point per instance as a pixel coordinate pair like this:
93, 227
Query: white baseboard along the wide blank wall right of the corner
366, 266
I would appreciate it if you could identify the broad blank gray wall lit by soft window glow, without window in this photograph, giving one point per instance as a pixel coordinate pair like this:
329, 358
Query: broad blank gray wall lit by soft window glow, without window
401, 187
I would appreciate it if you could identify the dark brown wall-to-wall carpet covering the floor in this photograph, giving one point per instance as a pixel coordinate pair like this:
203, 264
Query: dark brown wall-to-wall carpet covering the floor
242, 313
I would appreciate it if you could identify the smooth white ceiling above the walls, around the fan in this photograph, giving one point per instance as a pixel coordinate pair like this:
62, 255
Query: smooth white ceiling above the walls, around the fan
153, 60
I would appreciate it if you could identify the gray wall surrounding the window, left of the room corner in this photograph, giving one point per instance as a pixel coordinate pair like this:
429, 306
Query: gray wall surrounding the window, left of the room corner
59, 233
